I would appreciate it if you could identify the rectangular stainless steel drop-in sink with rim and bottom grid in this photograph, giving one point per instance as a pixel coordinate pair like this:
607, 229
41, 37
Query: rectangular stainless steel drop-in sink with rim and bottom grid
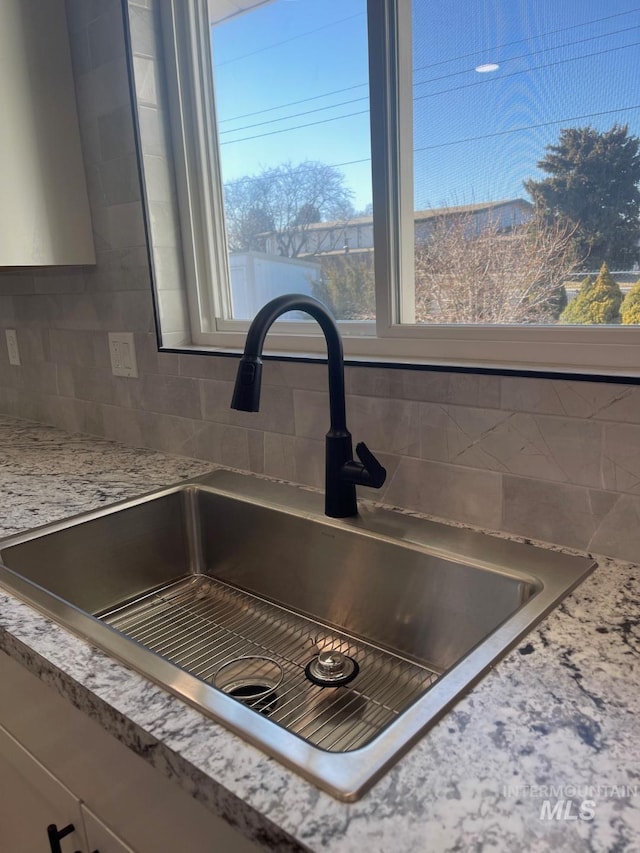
331, 644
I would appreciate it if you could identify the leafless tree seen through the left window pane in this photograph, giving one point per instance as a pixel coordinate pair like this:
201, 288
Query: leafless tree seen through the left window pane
287, 199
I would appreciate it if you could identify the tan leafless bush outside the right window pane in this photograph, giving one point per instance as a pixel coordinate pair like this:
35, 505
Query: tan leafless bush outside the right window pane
470, 275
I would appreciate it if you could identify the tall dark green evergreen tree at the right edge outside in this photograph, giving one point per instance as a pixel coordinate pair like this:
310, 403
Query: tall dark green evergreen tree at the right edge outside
593, 184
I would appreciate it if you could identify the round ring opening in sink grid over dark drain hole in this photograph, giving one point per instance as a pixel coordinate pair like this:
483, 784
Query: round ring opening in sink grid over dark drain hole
252, 680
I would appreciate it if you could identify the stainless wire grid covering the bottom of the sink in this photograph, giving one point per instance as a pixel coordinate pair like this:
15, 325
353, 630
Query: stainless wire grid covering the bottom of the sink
203, 625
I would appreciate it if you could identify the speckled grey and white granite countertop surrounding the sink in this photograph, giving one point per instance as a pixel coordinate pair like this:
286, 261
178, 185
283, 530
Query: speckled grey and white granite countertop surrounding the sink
556, 719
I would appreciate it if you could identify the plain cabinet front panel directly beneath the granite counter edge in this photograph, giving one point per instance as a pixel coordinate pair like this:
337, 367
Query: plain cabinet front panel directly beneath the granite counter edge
137, 803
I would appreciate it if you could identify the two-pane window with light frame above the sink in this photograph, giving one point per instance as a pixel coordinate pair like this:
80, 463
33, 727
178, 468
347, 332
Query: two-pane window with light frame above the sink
449, 180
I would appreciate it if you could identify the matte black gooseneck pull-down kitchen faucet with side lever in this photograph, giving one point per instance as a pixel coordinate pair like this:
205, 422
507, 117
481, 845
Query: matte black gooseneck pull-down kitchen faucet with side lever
342, 472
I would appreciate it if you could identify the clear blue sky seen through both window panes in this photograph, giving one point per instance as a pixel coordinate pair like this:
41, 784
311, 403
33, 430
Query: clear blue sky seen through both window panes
477, 136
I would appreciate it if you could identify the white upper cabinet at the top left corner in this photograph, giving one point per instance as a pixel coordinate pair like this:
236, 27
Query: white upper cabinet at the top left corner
44, 209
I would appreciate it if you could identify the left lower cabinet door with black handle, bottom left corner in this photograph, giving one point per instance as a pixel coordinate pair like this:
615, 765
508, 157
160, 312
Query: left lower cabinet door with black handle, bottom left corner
30, 800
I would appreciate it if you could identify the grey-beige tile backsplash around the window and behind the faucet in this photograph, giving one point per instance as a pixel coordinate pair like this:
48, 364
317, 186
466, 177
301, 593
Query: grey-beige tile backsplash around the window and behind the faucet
553, 460
